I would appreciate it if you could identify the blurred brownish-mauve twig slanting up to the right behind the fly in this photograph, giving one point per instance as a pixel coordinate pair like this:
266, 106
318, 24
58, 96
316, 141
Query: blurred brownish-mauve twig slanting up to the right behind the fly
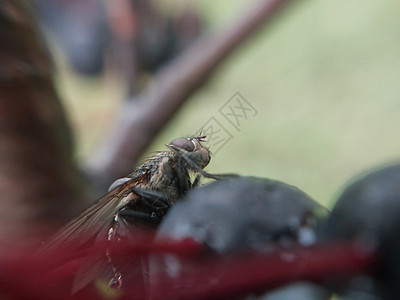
140, 121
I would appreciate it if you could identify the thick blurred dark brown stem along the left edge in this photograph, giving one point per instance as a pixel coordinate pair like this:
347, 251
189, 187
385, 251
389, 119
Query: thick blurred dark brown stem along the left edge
40, 186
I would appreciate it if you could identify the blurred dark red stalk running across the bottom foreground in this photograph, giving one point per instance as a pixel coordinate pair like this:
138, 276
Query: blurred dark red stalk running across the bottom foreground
197, 274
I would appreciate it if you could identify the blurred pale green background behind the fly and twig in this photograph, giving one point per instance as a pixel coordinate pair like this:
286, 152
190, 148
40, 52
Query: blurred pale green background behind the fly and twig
324, 78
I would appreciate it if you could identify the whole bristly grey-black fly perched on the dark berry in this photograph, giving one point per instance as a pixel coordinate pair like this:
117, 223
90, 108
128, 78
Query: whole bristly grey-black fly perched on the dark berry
139, 200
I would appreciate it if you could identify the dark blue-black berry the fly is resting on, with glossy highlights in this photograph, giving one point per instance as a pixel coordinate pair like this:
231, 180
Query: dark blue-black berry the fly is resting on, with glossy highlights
245, 213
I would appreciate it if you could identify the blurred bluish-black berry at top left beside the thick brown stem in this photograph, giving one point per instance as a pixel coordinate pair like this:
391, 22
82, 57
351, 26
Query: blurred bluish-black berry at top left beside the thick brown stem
81, 29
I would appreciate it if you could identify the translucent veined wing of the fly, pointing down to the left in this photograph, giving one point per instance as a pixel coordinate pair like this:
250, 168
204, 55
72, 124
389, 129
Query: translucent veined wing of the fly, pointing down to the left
91, 221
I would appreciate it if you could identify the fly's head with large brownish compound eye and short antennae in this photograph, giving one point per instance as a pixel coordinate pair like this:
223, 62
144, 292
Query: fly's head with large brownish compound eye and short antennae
192, 150
